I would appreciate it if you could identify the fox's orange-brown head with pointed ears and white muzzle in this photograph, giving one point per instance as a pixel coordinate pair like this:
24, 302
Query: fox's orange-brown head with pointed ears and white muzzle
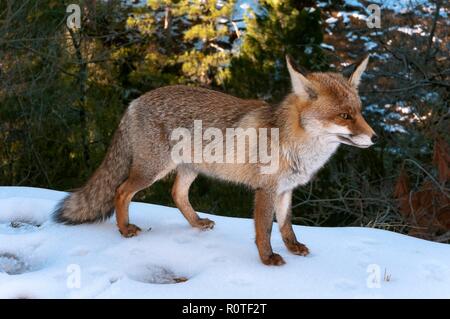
329, 106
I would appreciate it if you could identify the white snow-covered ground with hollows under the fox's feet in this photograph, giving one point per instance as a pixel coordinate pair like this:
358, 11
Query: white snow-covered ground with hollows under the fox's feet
40, 259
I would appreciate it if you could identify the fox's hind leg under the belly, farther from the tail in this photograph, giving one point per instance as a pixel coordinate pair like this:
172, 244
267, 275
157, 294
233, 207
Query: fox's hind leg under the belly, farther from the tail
180, 194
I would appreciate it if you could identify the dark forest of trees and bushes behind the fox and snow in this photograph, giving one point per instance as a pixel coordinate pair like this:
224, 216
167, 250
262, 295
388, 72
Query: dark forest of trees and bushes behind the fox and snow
62, 93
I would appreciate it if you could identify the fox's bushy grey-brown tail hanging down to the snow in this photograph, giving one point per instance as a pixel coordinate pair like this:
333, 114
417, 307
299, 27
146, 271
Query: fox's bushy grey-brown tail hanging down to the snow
94, 202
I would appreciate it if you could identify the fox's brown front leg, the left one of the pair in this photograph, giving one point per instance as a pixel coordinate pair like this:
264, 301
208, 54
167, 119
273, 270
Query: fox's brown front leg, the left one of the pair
263, 214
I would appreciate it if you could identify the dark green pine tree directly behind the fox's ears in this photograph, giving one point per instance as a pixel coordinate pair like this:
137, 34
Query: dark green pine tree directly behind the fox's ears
276, 29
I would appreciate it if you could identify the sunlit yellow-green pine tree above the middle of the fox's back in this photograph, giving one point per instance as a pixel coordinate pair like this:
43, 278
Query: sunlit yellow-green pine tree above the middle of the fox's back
191, 40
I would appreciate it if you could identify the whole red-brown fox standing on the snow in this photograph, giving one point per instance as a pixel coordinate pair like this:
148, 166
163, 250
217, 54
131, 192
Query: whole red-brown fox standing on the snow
322, 111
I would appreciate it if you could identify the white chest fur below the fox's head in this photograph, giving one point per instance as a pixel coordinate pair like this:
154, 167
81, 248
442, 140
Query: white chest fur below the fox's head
305, 160
